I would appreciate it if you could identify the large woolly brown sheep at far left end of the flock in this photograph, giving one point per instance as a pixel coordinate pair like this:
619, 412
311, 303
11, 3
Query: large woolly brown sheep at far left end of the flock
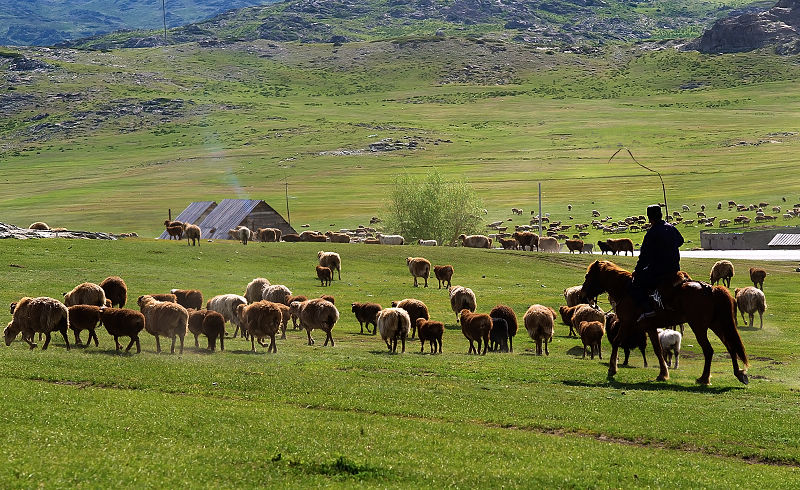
32, 315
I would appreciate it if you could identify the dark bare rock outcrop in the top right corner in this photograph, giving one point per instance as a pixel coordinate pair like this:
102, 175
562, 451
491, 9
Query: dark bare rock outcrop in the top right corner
778, 27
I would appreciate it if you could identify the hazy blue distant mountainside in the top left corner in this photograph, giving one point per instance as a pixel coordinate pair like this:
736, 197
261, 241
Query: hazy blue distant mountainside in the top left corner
47, 22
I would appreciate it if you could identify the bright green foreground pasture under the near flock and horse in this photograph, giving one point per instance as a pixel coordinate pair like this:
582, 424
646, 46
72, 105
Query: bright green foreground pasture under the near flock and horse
354, 414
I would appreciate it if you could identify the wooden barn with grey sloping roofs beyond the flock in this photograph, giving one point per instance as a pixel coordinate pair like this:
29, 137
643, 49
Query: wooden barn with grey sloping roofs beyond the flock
215, 219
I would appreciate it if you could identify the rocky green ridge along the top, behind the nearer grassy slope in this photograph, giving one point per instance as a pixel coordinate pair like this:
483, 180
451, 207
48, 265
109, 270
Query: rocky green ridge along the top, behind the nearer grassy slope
564, 22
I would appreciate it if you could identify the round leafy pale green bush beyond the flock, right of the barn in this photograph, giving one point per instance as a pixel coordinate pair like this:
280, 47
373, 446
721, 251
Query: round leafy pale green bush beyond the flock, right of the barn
432, 207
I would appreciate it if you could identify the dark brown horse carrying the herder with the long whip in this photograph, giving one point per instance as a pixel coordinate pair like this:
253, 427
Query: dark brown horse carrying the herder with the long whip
701, 305
